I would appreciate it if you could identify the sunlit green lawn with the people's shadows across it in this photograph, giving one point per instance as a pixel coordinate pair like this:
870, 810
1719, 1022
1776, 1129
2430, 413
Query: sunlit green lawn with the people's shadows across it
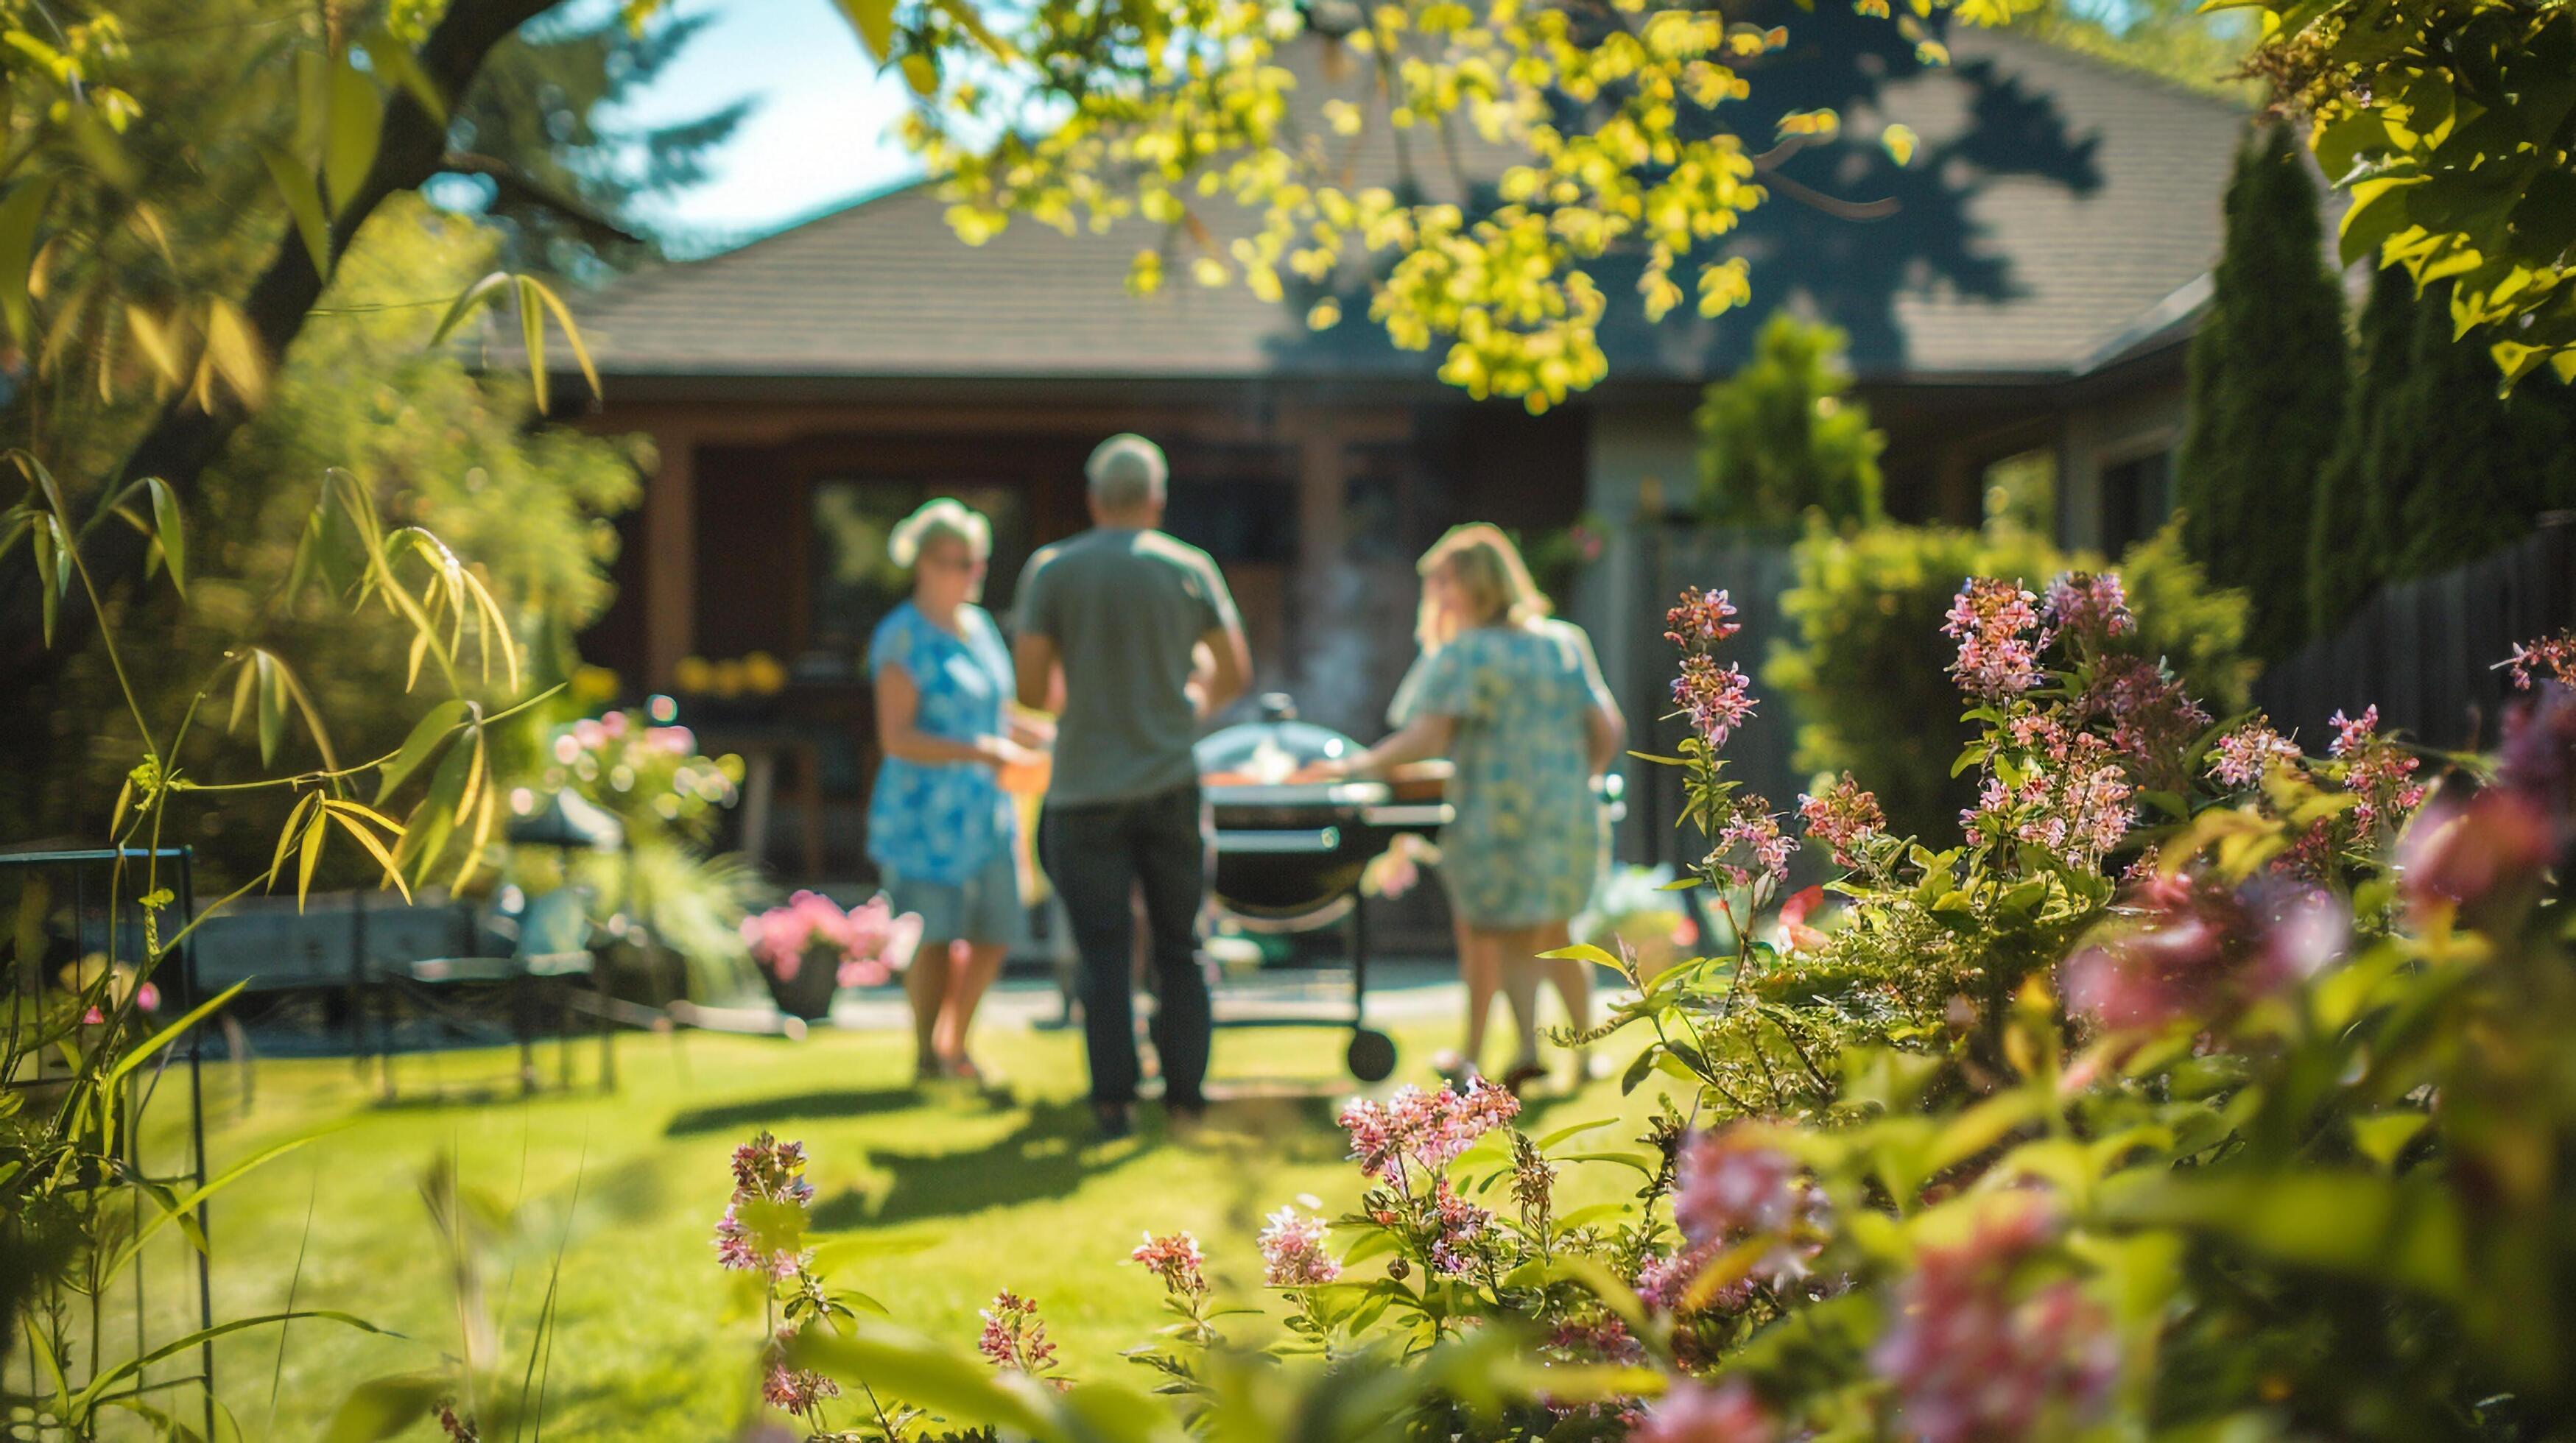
1003, 1189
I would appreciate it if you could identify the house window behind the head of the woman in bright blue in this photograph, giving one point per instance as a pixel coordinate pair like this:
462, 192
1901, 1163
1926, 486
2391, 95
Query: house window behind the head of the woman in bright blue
854, 578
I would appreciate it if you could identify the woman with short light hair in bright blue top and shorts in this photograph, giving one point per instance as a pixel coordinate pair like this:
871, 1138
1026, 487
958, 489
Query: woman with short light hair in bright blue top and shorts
942, 828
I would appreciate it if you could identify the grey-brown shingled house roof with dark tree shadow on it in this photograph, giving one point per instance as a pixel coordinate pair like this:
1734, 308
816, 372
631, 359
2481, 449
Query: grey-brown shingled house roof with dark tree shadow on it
2052, 218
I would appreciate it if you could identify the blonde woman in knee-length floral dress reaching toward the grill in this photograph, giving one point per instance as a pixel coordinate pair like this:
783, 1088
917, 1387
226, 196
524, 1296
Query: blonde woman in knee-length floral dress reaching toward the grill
1521, 707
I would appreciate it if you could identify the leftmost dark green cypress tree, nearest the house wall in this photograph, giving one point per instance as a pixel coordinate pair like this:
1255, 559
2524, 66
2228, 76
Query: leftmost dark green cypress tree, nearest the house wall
2268, 393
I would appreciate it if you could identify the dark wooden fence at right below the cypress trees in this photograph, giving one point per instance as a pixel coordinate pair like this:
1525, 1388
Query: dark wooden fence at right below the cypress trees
2425, 651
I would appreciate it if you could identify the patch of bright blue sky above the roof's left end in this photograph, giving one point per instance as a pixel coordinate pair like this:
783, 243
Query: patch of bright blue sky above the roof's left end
818, 135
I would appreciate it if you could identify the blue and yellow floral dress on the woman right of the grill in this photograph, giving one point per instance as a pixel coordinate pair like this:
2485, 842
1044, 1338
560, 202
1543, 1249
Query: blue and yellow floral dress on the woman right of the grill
1531, 834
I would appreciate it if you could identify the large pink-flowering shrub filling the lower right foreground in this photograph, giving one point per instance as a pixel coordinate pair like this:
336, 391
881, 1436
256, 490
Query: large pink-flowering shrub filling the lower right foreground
2204, 1089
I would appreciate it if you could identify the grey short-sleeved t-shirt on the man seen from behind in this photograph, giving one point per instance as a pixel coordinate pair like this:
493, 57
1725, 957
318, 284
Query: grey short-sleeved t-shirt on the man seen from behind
1124, 612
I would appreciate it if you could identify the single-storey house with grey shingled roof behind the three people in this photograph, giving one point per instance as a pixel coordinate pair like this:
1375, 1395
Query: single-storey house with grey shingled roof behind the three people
2034, 292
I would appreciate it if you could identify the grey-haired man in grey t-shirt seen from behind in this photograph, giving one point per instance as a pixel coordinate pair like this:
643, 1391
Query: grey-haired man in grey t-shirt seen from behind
1122, 609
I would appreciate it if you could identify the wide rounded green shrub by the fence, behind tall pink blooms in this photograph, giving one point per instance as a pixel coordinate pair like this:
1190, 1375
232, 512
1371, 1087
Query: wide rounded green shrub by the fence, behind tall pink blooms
1866, 671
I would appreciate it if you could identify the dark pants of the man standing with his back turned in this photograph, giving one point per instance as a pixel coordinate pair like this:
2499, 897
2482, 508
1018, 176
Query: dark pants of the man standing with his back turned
1099, 857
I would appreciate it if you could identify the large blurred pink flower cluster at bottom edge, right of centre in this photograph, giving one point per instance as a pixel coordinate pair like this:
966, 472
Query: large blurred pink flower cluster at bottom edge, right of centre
1972, 1359
